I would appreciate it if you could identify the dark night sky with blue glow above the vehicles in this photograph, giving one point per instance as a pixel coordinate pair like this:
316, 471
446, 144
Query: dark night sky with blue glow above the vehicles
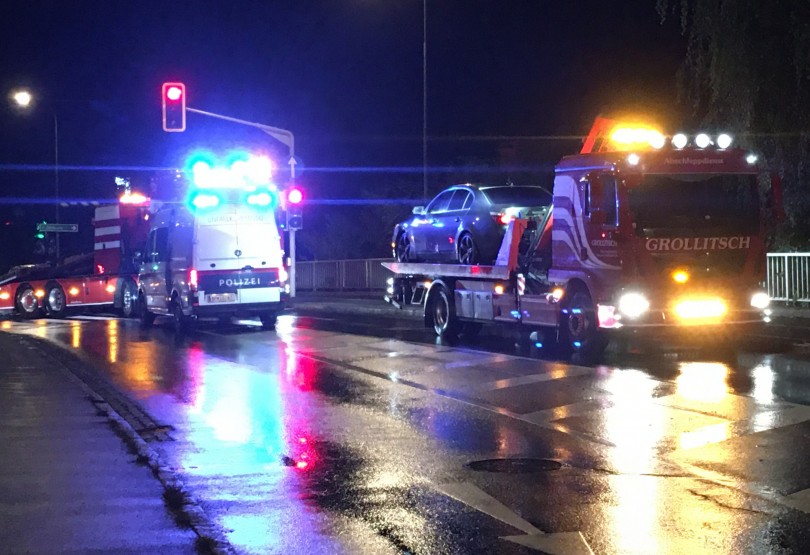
345, 76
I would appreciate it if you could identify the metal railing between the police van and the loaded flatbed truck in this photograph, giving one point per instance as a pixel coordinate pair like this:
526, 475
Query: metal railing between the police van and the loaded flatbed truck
342, 275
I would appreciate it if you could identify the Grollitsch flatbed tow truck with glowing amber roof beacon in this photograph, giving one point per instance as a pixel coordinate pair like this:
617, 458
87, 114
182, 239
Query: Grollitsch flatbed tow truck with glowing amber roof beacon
648, 235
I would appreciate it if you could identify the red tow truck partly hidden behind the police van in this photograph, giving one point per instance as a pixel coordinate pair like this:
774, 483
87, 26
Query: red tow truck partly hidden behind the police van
106, 277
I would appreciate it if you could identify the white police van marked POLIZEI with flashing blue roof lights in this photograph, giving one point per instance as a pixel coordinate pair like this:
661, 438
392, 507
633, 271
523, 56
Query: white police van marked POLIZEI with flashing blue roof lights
213, 258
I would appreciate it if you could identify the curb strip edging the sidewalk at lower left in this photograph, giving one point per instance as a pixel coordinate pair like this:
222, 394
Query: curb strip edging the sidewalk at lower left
211, 539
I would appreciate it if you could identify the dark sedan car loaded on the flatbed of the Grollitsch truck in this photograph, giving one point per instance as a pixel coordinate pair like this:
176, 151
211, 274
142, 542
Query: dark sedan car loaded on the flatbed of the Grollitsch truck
465, 223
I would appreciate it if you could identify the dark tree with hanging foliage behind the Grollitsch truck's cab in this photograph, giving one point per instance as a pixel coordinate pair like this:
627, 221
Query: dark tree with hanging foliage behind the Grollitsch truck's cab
747, 69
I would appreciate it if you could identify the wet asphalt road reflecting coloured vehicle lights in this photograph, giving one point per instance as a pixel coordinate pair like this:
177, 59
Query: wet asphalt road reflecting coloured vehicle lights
361, 434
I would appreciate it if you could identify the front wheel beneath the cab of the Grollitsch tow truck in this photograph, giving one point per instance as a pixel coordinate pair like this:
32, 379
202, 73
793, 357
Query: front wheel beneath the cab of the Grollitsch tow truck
579, 331
